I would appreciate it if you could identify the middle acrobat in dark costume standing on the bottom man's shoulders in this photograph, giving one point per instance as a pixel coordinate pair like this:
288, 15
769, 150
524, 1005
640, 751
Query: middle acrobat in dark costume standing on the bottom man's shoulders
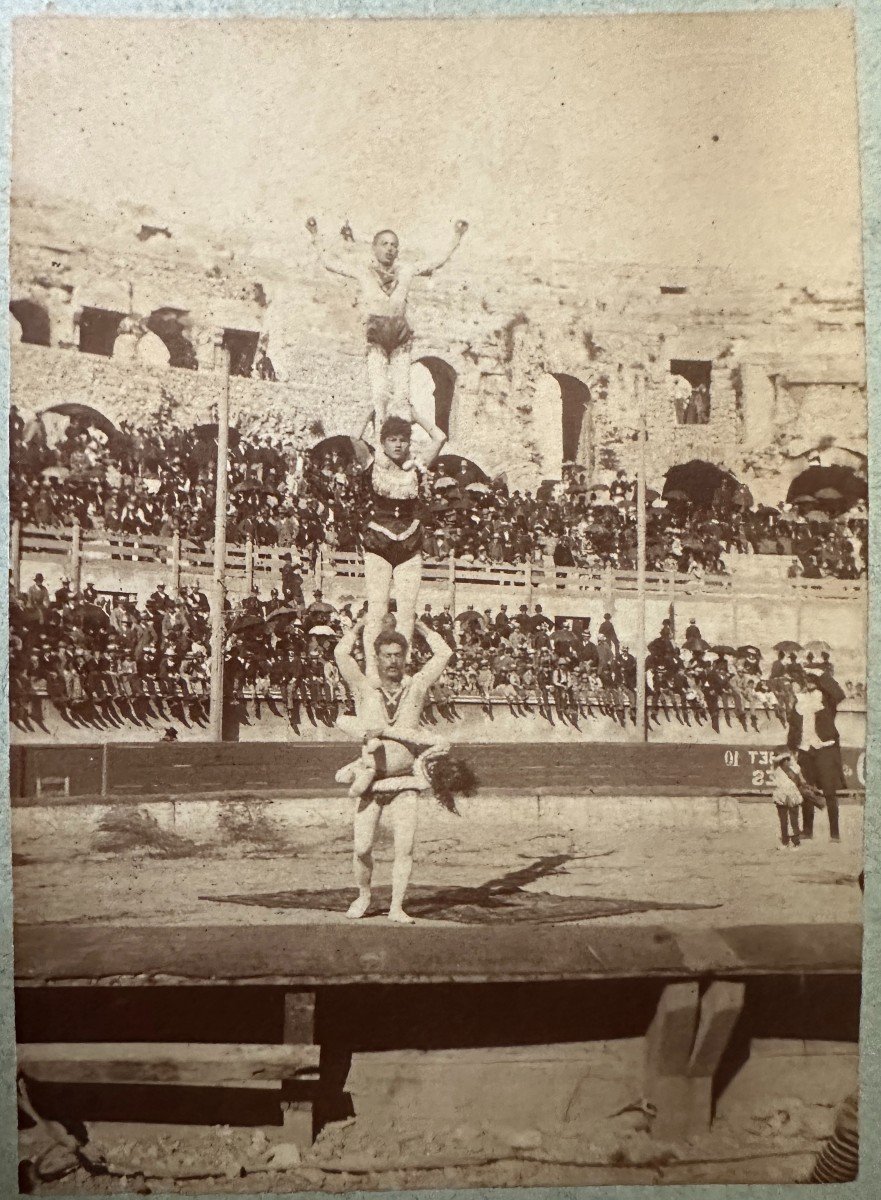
393, 532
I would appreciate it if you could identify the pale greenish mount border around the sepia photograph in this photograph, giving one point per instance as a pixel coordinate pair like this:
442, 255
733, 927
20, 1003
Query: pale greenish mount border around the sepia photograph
868, 29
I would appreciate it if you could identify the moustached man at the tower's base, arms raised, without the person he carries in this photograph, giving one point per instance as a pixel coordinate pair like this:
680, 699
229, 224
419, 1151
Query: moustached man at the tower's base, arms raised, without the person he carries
388, 705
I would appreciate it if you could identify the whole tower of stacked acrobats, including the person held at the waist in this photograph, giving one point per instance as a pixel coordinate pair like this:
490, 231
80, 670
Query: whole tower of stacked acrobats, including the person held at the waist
398, 763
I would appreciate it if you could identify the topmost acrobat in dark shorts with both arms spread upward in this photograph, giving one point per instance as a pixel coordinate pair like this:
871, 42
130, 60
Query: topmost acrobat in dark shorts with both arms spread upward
383, 289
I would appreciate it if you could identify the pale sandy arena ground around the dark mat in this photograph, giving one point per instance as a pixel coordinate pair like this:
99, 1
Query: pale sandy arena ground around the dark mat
734, 868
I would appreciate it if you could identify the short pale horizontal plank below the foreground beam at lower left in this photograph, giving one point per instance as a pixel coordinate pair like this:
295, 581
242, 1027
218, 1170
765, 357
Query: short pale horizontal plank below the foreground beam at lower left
155, 1063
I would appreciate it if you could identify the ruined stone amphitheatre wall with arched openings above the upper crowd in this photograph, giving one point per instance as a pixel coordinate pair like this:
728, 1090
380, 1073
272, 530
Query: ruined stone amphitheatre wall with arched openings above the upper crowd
532, 363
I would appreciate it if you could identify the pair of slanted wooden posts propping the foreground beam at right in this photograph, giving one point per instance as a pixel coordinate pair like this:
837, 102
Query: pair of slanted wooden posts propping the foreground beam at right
685, 1046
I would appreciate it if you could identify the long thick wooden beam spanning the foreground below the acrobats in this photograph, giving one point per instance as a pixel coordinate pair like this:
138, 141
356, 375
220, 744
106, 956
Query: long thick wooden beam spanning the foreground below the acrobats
313, 955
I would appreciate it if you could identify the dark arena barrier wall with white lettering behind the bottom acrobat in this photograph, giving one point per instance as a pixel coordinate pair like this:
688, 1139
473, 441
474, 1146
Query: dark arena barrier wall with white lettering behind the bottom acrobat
58, 775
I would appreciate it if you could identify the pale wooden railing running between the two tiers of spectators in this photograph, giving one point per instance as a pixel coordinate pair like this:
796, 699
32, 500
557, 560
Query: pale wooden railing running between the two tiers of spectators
73, 550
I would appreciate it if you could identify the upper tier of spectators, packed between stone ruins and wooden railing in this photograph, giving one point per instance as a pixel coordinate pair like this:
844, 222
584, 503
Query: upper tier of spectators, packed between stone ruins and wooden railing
152, 482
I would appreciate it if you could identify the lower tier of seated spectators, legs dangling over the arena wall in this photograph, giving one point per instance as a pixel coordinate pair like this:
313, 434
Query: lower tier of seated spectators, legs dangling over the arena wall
103, 661
